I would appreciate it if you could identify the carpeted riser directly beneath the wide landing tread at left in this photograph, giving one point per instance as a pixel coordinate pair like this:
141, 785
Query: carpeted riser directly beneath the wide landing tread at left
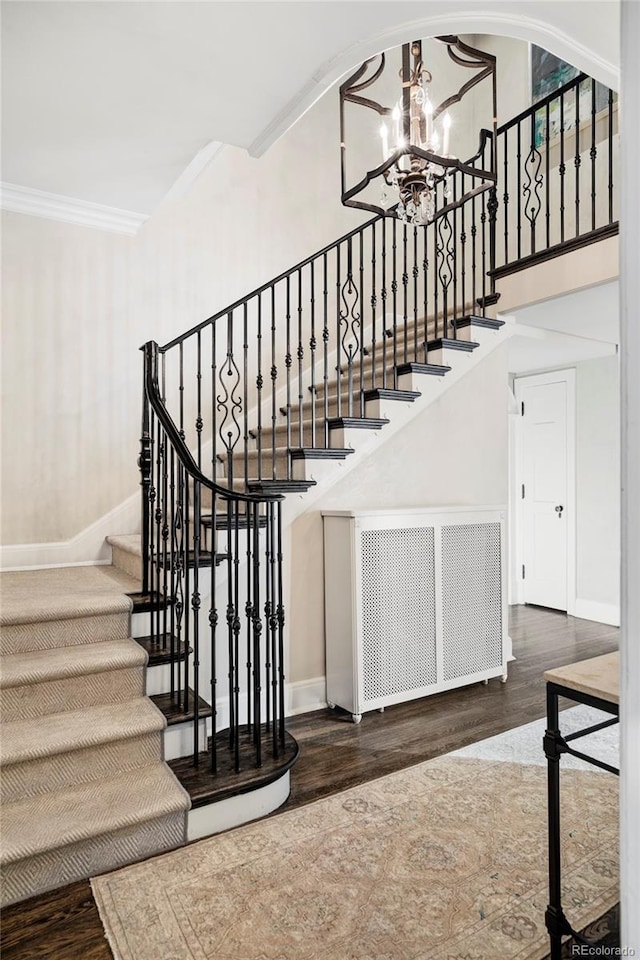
51, 634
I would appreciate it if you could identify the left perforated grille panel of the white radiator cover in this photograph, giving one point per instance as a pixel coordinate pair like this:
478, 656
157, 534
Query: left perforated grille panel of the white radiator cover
398, 611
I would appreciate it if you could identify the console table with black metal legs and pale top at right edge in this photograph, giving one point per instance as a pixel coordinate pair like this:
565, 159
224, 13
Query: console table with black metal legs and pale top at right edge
596, 683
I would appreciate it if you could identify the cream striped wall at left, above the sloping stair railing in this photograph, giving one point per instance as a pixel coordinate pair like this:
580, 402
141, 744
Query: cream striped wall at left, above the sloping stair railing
77, 303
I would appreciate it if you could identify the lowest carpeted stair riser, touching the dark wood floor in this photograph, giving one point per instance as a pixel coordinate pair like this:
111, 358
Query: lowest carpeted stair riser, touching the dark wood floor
77, 861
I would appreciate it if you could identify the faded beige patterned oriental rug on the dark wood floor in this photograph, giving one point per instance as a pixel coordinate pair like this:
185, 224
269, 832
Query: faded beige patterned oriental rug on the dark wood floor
446, 860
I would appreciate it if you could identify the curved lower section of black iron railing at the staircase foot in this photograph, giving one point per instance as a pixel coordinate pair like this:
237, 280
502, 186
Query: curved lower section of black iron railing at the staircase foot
240, 641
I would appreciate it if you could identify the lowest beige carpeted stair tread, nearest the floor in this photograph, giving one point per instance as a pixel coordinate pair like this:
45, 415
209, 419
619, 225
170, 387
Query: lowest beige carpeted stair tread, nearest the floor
52, 821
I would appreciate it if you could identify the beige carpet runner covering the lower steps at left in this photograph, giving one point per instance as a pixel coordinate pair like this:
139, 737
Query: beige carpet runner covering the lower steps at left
83, 787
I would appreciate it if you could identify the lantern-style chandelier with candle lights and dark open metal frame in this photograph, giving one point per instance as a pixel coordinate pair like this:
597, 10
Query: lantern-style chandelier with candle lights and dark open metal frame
416, 138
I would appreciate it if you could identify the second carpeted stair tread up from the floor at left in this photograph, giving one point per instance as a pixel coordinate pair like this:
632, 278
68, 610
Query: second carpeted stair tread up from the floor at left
26, 740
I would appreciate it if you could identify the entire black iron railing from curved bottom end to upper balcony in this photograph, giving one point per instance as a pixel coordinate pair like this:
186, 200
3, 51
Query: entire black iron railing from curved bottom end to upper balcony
234, 405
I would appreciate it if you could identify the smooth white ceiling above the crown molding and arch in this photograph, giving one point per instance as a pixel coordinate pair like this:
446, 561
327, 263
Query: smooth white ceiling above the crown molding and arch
108, 102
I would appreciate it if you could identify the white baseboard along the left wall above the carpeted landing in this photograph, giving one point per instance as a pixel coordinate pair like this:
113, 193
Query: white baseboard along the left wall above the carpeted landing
87, 548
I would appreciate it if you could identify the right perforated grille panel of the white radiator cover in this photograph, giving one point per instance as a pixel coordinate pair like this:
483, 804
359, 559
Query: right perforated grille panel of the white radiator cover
471, 598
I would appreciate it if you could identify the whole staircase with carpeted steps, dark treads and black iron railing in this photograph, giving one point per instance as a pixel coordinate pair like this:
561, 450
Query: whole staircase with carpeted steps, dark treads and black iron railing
144, 704
